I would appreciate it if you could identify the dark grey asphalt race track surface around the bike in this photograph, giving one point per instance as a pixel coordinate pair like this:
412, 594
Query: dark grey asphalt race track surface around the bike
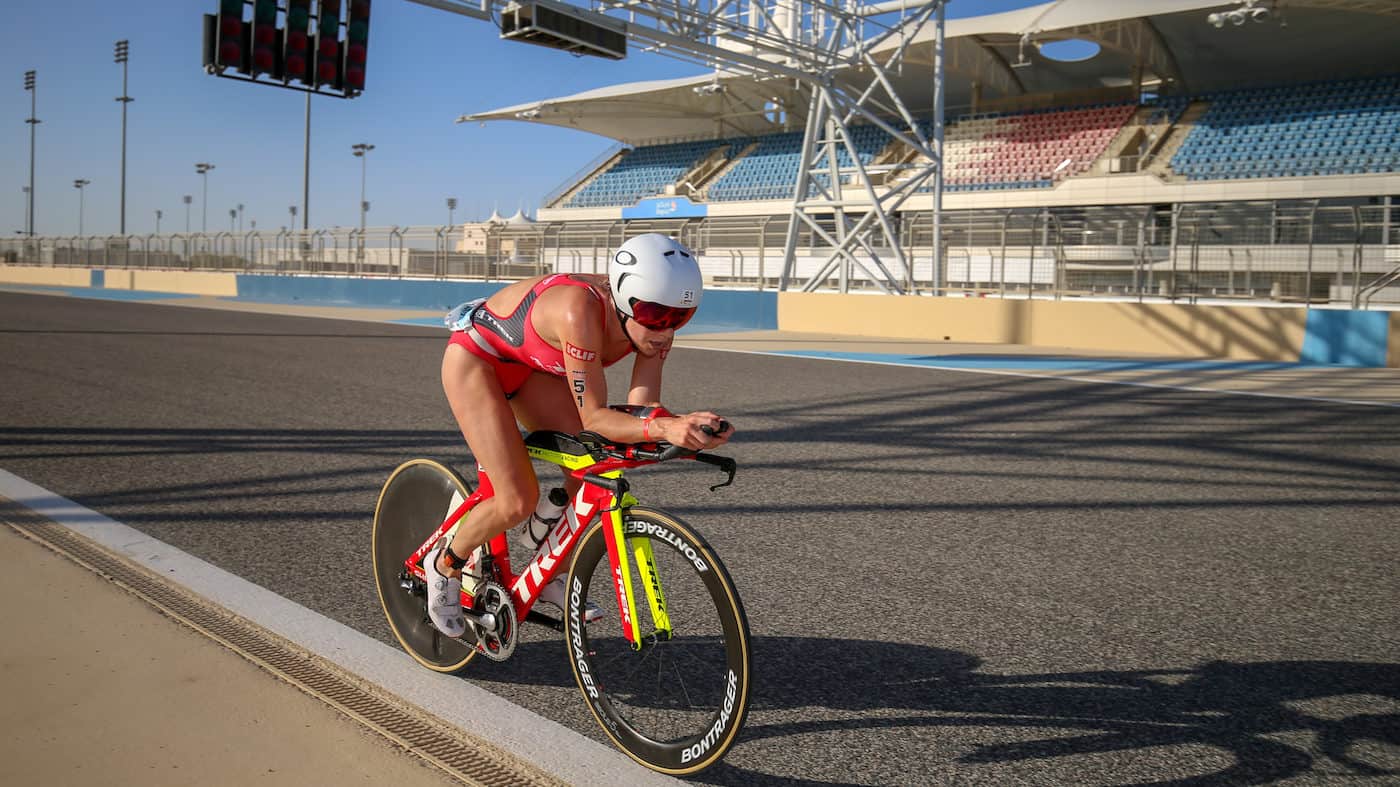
950, 578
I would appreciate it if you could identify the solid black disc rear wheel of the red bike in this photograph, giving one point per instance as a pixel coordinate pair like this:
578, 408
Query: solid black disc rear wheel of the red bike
419, 495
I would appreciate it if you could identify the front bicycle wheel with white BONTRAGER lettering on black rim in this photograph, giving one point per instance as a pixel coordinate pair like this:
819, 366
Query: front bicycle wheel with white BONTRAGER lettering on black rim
677, 699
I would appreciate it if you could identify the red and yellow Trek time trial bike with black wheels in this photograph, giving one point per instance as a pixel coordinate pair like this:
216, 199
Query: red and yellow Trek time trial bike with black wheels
666, 671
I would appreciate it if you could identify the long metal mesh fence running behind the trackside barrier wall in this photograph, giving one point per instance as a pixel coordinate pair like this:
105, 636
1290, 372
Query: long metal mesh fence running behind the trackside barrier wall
1307, 251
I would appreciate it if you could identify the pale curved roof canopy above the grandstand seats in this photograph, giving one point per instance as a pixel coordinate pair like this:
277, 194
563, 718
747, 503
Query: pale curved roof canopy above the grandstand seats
1171, 41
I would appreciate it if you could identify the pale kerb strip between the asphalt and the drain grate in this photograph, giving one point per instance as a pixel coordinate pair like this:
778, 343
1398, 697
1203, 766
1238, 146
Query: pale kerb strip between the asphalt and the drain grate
549, 746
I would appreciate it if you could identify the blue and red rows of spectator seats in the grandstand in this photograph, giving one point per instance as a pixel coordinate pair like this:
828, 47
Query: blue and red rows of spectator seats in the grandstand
1312, 130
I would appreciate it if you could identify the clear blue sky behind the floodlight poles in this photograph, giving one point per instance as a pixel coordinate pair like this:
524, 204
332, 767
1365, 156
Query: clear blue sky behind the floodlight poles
426, 68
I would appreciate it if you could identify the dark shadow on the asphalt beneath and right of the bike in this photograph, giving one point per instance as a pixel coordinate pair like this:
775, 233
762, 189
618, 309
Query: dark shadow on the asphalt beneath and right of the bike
1241, 711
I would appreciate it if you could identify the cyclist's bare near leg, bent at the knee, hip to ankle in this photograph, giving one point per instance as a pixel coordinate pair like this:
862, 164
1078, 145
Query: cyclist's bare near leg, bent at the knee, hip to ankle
488, 424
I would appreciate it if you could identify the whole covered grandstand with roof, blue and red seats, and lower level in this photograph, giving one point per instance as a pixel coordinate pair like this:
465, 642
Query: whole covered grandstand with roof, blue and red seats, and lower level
1067, 176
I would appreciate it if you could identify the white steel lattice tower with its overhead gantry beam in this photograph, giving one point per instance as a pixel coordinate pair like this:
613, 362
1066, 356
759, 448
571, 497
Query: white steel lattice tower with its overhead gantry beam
828, 48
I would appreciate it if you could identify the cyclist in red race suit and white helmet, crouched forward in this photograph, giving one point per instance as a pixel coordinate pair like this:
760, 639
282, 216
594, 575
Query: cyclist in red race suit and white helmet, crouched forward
535, 354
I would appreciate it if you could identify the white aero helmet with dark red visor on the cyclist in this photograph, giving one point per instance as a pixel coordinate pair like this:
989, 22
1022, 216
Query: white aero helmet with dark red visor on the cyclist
656, 282
